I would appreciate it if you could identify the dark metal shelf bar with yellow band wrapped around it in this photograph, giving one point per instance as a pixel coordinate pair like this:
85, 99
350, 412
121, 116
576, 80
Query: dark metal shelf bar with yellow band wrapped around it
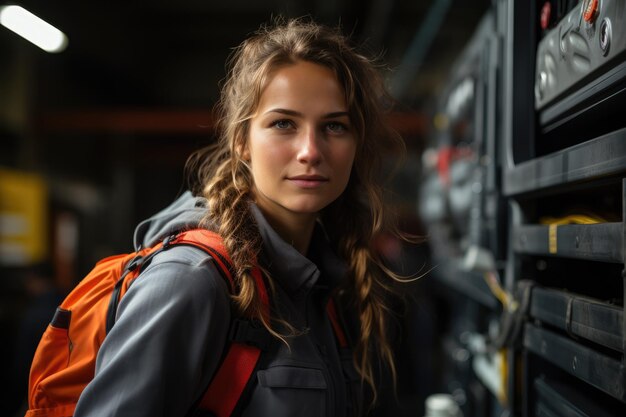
595, 242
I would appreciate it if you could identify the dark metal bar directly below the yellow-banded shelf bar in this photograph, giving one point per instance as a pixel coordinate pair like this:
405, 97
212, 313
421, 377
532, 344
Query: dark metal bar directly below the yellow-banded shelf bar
580, 316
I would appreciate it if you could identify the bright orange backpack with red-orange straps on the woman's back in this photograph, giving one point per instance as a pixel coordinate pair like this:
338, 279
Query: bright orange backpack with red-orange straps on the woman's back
64, 362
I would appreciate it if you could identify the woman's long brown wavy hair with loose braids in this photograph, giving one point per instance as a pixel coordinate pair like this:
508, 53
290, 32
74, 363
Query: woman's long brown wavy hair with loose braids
353, 220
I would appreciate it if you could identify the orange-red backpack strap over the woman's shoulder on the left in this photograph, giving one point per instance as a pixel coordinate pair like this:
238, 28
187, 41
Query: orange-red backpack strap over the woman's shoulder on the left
241, 359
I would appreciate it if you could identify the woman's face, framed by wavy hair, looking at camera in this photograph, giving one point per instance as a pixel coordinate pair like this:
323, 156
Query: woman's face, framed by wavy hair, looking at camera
301, 142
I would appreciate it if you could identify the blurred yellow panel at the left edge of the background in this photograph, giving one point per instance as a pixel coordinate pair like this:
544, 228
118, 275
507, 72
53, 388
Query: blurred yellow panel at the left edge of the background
23, 218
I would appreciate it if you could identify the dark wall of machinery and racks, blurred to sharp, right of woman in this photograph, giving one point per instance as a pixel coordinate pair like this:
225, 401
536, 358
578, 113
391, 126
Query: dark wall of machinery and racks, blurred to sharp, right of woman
526, 166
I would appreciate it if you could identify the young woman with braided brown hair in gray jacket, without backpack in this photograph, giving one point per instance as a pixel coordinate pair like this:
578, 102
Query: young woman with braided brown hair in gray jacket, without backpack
291, 186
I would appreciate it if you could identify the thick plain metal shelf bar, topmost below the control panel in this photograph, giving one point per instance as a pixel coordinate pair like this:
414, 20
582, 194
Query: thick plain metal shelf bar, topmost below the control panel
599, 157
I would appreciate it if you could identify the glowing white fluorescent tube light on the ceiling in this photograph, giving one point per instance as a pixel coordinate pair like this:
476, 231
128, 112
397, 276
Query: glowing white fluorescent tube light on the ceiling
32, 28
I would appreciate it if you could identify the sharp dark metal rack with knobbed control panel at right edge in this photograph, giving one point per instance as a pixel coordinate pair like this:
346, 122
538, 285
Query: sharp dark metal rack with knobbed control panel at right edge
571, 149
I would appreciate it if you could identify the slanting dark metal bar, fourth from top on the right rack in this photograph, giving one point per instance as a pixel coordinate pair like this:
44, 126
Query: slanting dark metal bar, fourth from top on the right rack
601, 371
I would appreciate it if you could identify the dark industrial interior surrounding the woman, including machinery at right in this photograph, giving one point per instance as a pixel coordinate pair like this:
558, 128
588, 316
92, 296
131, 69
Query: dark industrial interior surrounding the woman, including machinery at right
512, 112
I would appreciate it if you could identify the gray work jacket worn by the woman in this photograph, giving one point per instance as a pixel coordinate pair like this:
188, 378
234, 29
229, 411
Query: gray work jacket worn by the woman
172, 327
